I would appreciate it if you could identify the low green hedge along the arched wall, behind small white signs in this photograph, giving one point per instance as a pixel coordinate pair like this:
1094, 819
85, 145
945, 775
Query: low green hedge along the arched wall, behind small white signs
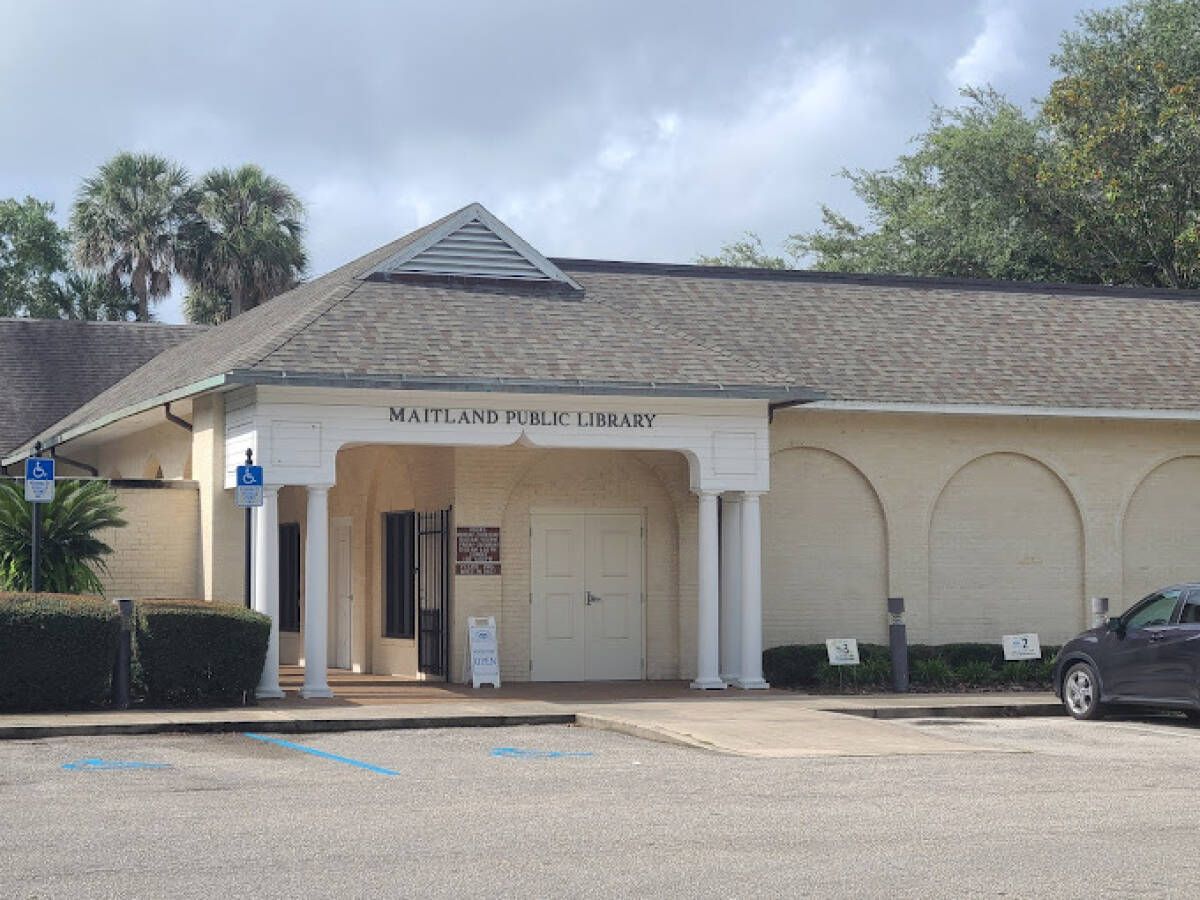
931, 667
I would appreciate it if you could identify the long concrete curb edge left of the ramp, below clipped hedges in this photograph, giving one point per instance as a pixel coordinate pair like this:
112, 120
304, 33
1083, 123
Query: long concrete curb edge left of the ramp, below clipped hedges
281, 727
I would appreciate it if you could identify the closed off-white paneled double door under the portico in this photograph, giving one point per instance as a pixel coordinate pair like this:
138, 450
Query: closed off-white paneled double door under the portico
586, 603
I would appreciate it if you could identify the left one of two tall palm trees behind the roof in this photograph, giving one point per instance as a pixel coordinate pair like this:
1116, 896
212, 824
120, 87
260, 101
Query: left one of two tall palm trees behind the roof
127, 221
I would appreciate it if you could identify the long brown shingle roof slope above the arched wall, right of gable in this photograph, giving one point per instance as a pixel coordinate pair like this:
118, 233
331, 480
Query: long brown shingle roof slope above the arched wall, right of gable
931, 341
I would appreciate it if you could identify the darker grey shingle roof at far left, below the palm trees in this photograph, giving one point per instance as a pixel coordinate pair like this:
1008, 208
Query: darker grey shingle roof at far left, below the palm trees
50, 368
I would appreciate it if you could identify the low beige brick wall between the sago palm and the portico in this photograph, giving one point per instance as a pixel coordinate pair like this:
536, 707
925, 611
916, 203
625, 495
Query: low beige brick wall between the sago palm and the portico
158, 553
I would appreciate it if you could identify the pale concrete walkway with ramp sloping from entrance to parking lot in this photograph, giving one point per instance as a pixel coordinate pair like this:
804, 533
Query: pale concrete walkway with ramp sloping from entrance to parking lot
767, 724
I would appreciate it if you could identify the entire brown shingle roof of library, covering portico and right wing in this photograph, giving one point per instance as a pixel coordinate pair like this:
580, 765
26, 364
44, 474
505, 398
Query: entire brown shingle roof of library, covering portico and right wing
769, 333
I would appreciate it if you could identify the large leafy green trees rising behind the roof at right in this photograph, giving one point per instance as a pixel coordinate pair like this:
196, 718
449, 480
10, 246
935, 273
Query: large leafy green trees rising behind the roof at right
1102, 185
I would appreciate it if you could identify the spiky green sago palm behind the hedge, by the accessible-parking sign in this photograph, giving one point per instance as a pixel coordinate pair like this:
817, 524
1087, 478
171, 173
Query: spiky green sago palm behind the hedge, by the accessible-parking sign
71, 554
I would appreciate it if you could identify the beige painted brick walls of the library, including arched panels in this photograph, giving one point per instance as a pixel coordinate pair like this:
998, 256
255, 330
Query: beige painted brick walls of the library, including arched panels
985, 525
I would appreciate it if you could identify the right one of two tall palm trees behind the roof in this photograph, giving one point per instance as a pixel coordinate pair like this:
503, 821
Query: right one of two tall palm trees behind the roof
245, 245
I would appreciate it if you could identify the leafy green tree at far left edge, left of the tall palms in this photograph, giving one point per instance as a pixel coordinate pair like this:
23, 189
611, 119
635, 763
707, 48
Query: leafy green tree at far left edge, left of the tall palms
33, 251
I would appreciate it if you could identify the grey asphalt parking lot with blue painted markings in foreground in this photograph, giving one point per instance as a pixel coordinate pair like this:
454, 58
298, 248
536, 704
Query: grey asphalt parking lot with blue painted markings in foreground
1053, 808
